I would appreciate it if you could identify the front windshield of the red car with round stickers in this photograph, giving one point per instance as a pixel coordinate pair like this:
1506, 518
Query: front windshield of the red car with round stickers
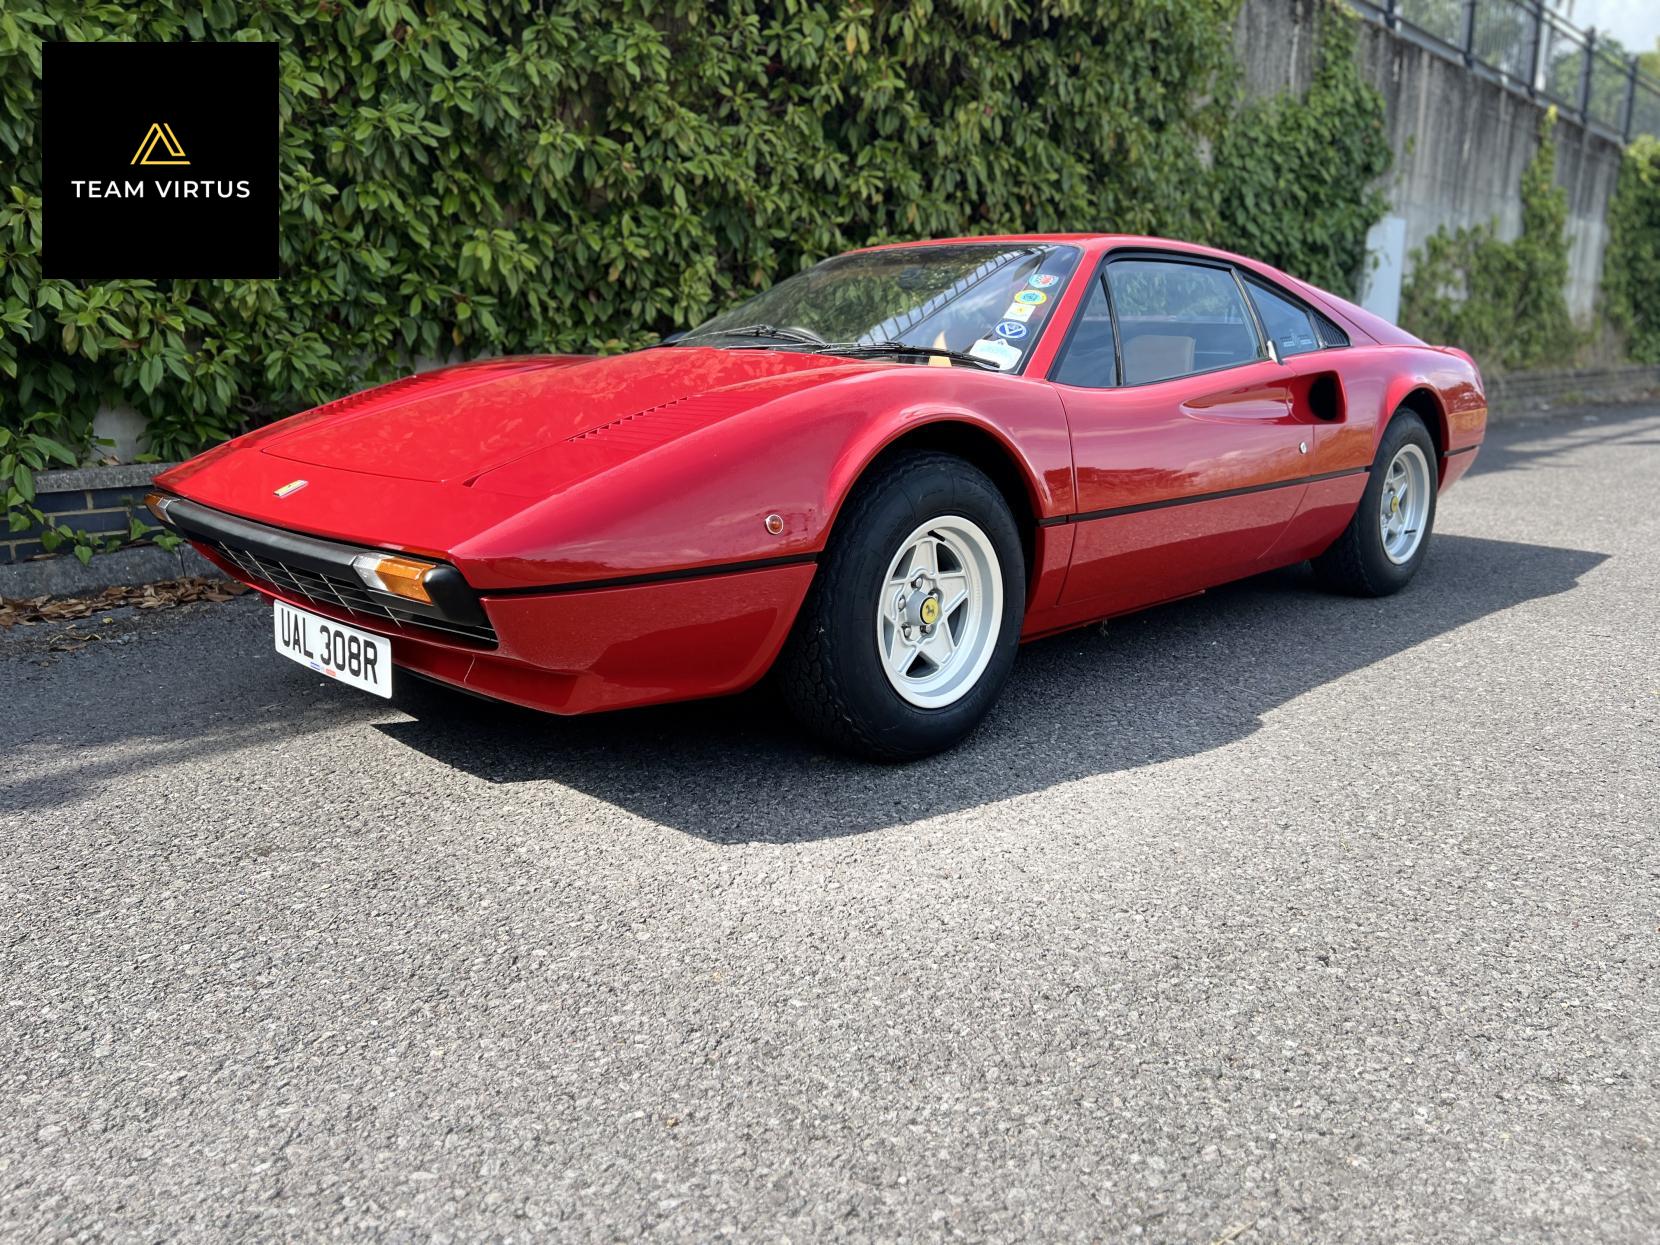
984, 300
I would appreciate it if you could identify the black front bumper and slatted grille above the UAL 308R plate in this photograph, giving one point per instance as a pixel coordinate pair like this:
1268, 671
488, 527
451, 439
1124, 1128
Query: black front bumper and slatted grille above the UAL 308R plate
320, 572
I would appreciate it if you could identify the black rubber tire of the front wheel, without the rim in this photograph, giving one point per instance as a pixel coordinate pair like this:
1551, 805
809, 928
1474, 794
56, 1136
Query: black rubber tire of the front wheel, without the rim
831, 670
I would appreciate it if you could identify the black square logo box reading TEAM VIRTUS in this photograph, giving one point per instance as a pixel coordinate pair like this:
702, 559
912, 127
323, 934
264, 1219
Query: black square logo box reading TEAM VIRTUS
215, 217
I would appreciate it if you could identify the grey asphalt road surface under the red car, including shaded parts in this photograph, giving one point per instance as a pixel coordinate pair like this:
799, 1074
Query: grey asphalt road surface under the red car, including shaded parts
1259, 917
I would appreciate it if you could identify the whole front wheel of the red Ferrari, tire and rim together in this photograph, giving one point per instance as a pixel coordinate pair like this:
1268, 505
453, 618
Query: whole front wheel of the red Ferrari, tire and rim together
912, 623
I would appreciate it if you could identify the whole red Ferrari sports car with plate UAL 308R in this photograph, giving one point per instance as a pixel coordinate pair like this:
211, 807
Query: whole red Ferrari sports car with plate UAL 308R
876, 479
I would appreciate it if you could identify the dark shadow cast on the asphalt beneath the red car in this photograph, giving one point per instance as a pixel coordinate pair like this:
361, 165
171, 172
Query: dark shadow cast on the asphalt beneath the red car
1169, 683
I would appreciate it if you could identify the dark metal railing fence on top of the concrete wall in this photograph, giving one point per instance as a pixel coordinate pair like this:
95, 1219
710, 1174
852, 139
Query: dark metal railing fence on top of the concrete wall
1533, 51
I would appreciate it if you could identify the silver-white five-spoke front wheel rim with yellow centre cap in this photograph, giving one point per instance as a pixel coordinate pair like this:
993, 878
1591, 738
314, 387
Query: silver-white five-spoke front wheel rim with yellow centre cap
940, 612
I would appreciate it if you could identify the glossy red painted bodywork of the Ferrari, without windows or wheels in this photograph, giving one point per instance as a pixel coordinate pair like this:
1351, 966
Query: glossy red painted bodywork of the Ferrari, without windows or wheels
559, 472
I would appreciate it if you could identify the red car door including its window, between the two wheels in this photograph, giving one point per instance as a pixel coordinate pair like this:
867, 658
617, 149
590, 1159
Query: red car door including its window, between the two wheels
1188, 454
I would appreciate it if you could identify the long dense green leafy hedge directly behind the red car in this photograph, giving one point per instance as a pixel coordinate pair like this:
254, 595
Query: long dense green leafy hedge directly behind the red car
481, 177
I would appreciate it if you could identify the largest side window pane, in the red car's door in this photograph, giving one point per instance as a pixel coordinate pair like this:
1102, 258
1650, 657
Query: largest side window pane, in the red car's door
1178, 320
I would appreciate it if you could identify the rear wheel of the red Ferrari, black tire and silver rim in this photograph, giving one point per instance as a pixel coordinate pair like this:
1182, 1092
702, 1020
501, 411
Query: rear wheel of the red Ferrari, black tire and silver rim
1387, 539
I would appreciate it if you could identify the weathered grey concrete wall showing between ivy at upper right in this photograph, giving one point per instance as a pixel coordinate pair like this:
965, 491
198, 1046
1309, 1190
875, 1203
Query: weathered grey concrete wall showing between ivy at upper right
1460, 140
